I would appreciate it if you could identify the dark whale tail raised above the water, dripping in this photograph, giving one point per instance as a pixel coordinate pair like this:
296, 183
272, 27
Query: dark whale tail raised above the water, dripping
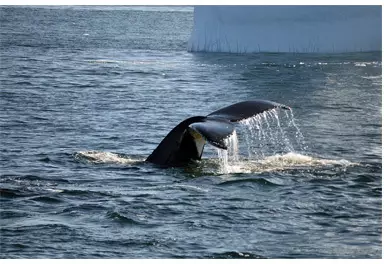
185, 142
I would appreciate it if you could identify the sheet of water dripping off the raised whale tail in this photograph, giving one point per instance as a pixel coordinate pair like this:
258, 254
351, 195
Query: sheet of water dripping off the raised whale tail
266, 134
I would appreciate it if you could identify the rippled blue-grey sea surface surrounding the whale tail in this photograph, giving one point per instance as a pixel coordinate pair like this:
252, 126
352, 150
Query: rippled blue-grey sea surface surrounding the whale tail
88, 92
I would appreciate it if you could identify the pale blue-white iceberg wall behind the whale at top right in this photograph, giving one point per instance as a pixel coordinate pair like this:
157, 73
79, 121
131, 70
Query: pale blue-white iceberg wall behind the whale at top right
304, 29
